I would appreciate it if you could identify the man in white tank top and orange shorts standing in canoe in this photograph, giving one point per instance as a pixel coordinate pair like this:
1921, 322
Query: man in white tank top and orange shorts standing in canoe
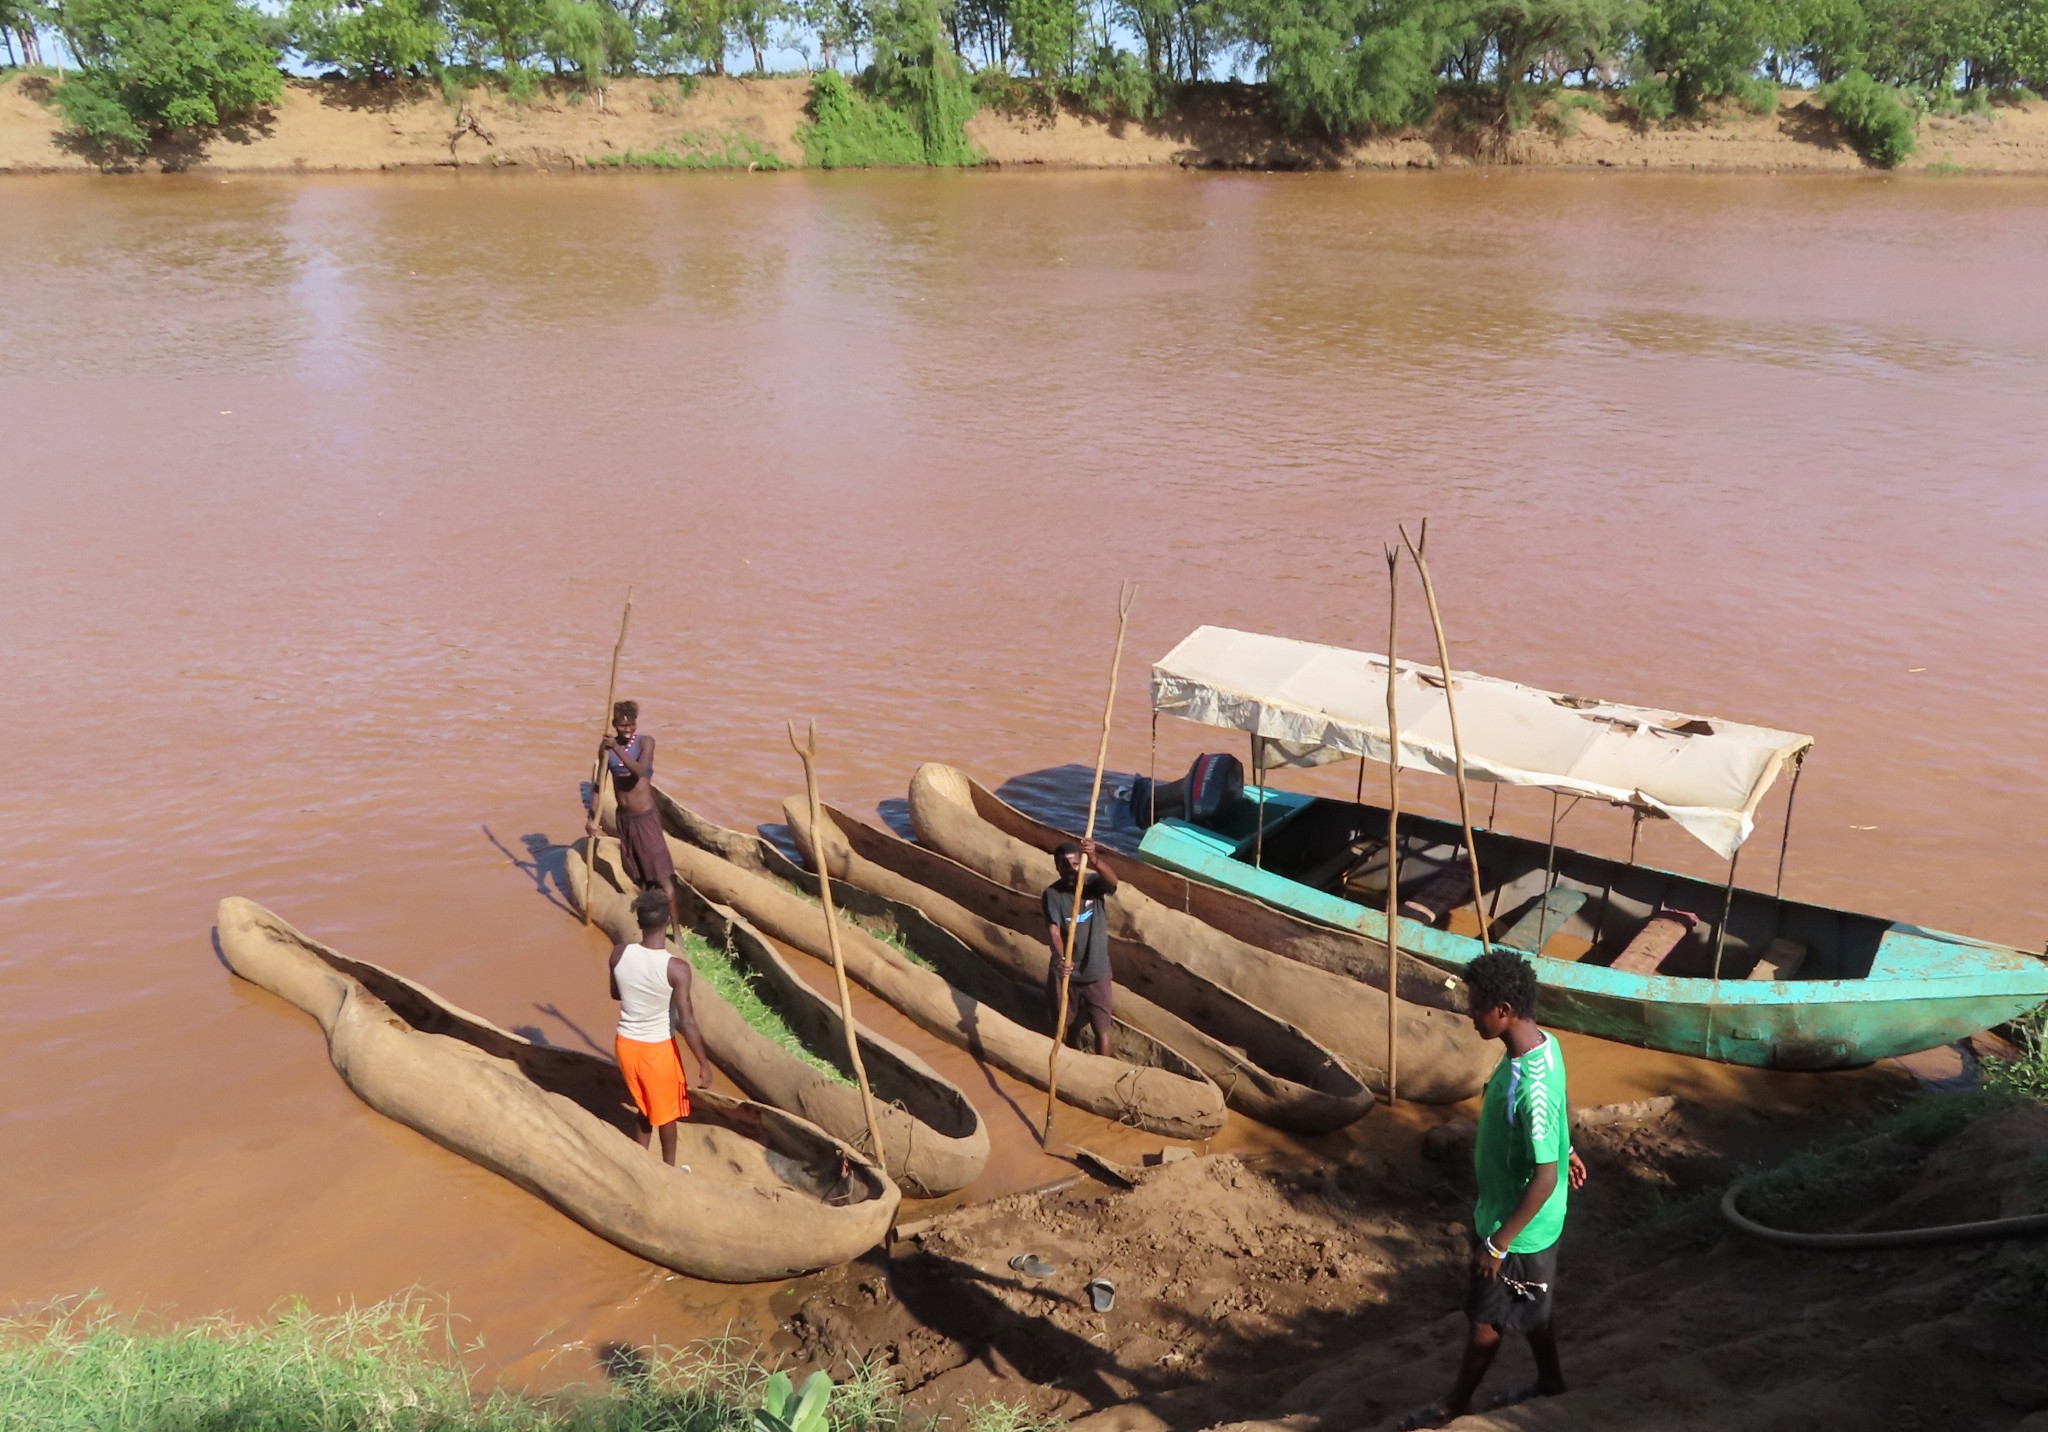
654, 1005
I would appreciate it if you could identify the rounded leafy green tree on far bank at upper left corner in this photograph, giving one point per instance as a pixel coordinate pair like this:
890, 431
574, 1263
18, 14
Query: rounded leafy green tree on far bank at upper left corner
157, 67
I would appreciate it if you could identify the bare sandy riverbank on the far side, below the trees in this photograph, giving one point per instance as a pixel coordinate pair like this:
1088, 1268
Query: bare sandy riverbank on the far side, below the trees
343, 128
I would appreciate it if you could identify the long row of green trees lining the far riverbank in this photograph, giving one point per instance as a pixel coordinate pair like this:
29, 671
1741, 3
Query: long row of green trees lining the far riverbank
1326, 67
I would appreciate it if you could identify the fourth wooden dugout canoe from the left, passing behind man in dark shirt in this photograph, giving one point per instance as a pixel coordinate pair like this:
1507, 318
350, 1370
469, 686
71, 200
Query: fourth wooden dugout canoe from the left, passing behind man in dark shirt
1265, 1066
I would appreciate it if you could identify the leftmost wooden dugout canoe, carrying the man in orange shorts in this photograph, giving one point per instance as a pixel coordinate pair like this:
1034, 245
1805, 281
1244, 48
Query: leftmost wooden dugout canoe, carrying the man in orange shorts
767, 1195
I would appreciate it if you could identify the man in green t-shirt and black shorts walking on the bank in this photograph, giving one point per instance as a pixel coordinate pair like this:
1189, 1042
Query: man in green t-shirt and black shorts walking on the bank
1525, 1167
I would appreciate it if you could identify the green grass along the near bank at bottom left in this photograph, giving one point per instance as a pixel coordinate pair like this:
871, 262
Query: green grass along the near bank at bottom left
396, 1367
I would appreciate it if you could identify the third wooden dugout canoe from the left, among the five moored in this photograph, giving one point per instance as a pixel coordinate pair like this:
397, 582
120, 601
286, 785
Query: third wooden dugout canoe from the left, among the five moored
1146, 1085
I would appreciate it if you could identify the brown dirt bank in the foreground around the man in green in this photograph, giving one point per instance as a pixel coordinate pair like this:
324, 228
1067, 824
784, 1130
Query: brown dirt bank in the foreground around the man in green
1316, 1294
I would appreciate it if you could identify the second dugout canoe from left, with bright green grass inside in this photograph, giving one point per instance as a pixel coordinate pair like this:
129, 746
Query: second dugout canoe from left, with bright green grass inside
933, 1136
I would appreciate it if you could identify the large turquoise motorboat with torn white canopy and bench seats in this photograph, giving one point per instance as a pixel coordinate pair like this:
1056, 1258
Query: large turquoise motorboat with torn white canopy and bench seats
1625, 952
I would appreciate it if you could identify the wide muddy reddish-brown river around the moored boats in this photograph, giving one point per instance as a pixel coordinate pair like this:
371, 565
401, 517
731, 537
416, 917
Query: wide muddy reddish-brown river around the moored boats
321, 501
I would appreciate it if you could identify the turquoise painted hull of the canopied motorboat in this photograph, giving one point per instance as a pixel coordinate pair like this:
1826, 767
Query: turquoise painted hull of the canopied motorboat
1924, 988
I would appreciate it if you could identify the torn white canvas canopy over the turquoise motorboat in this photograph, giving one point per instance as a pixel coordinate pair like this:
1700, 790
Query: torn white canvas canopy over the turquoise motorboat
1312, 704
